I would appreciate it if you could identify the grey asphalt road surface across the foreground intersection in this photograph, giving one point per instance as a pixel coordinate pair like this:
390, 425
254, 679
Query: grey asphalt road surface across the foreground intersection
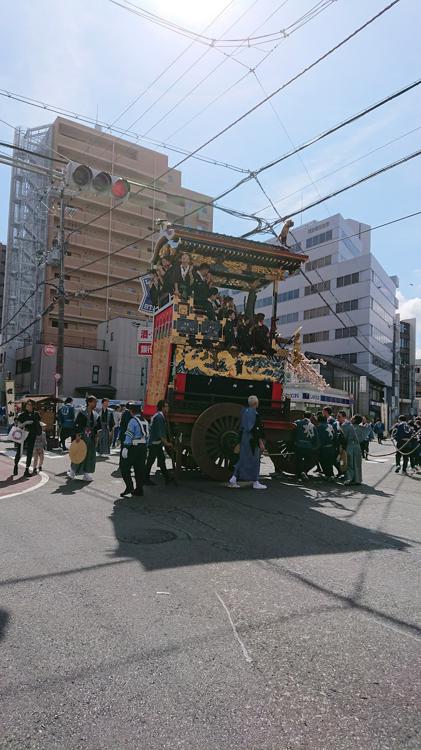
208, 618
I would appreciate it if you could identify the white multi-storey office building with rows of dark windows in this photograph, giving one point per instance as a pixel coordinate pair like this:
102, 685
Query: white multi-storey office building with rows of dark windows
345, 304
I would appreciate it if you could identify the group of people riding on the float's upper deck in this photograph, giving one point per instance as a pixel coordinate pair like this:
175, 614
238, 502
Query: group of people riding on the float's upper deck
245, 334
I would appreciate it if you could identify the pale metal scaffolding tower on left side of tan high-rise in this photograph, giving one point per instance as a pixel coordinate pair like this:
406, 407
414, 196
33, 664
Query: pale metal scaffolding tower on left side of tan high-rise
26, 242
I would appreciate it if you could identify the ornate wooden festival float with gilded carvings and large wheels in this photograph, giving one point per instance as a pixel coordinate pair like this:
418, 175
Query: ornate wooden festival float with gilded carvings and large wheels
207, 382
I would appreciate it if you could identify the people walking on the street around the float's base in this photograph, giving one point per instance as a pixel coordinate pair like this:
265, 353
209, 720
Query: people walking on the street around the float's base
333, 445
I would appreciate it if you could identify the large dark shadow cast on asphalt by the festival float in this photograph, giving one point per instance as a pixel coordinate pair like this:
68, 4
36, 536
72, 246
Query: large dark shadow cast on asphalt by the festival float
212, 526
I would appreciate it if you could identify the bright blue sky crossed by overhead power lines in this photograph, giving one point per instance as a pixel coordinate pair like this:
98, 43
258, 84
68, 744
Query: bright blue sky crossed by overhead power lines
94, 56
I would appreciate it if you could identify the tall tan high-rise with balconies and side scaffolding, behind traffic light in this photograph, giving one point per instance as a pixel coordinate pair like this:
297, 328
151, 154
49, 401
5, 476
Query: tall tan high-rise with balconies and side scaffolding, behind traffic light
94, 258
